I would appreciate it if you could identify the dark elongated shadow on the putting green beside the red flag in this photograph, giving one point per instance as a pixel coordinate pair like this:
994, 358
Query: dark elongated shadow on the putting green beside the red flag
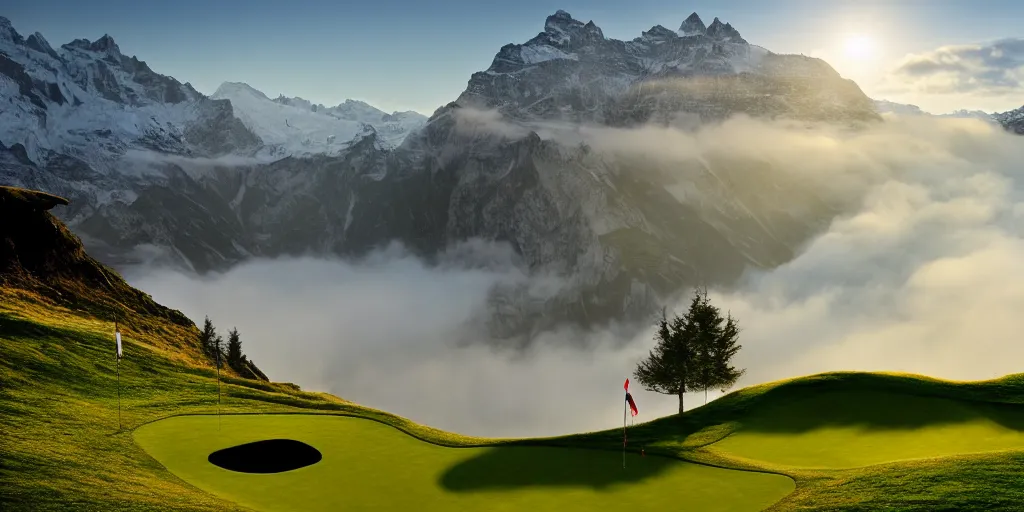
518, 467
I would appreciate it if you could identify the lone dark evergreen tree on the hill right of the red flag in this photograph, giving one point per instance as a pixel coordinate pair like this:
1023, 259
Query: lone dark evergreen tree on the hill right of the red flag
693, 353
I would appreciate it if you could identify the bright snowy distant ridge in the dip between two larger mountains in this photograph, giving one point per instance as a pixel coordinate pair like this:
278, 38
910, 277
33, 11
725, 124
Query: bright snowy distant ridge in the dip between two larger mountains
293, 126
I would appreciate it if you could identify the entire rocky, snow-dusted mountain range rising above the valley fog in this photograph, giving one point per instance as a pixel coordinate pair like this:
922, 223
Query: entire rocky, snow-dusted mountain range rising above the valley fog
158, 173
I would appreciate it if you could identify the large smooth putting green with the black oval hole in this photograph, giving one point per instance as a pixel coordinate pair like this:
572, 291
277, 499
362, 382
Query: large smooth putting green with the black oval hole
371, 466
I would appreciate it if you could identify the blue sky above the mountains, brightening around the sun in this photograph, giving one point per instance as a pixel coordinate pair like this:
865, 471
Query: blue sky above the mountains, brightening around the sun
410, 55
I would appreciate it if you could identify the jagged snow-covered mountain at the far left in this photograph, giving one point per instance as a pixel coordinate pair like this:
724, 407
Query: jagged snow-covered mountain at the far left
75, 117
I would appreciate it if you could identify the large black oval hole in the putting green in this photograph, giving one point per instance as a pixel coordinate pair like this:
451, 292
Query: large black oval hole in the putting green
272, 456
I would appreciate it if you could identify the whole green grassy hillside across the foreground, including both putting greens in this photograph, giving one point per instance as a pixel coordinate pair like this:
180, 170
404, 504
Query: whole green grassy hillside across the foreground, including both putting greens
840, 442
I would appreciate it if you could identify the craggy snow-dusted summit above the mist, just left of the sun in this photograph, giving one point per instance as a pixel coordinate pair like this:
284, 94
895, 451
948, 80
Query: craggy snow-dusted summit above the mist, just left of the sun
572, 72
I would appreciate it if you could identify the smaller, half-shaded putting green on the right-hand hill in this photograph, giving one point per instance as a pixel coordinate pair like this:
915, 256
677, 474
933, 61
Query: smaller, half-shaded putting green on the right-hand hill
854, 430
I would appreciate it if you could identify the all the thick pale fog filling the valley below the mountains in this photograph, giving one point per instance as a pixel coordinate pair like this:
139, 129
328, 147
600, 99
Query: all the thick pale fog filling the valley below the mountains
925, 275
